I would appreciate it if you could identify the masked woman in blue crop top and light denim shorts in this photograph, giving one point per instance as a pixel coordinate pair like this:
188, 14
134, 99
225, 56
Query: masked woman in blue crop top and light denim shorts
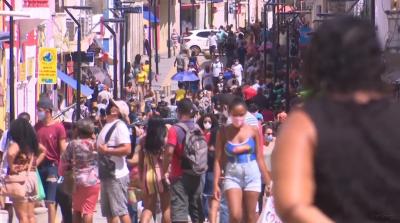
238, 152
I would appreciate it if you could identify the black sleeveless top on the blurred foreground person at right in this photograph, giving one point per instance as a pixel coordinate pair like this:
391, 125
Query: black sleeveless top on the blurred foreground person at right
357, 160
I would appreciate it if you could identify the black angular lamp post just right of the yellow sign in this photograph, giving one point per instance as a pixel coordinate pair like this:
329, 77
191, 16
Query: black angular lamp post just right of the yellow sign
79, 59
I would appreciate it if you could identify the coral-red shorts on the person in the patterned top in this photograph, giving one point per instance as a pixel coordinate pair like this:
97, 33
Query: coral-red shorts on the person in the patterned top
84, 199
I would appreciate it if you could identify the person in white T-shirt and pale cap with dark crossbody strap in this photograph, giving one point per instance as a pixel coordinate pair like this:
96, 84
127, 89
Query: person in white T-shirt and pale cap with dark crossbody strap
114, 187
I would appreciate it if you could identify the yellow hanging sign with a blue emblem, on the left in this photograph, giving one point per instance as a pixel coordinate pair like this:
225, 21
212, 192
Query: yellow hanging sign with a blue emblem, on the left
47, 65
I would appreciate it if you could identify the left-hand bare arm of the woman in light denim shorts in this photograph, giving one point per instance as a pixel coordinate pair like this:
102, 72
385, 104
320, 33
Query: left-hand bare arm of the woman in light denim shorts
218, 163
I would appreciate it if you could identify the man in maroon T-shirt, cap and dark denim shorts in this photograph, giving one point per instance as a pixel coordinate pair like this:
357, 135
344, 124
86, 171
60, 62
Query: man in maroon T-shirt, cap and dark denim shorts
51, 134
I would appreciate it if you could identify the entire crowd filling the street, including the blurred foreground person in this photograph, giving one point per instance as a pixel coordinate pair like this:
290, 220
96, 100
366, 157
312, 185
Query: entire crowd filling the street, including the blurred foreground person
205, 154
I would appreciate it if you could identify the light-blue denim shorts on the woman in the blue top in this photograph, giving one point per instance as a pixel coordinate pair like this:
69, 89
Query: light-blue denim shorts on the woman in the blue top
245, 176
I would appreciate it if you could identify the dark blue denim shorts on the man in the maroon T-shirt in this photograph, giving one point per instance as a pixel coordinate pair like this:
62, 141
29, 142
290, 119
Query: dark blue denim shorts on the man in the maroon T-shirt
49, 175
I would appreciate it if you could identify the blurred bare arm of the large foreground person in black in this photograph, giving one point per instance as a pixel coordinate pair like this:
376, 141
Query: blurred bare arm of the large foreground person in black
293, 171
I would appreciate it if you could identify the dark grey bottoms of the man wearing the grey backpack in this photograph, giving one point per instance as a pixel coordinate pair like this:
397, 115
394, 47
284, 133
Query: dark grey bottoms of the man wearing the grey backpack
186, 199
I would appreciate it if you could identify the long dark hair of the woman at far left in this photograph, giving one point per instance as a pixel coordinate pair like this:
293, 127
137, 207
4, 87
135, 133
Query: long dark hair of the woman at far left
22, 133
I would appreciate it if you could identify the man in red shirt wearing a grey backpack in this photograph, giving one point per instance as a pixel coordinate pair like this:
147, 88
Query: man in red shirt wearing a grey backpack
186, 152
